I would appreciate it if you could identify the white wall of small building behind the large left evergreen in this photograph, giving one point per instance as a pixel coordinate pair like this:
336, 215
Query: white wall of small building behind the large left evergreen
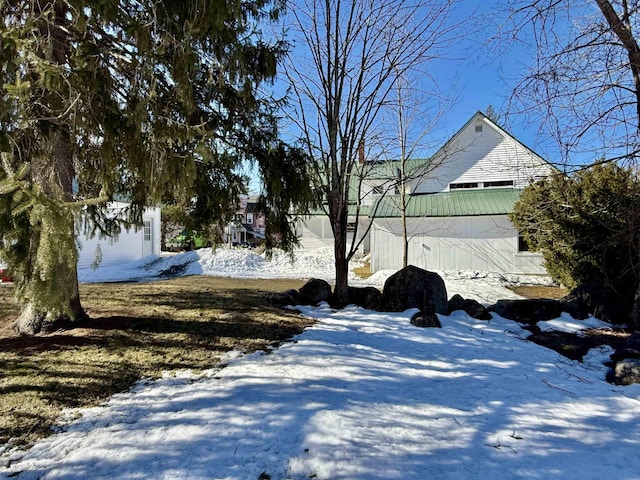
131, 244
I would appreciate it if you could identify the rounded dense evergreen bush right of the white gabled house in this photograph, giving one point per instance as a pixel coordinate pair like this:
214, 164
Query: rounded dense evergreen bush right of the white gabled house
587, 226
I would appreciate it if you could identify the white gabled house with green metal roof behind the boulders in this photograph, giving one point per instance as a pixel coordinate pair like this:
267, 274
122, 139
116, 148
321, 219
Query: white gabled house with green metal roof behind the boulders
457, 211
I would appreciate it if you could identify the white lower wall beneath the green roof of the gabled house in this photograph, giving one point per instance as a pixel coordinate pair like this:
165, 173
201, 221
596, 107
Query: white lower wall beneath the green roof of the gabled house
484, 243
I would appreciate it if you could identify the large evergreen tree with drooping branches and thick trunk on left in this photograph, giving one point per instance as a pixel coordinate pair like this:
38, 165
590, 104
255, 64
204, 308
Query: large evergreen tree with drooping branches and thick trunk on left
148, 101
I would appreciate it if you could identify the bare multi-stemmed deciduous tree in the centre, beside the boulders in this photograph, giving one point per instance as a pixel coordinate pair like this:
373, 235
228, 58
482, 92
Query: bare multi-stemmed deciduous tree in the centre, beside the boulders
343, 70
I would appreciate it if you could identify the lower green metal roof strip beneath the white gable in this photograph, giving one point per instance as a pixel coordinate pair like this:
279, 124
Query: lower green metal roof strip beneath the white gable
488, 201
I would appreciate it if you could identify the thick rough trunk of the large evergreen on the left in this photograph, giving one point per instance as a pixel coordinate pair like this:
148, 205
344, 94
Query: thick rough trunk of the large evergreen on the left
51, 294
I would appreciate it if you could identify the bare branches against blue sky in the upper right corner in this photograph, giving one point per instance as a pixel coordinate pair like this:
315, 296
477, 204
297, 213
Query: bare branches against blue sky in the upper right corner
585, 83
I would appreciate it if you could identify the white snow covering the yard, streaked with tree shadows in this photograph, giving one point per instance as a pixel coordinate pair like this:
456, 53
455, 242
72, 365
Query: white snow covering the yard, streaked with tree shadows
360, 395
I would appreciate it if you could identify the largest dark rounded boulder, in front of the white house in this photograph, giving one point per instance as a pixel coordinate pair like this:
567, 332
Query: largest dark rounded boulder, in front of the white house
413, 287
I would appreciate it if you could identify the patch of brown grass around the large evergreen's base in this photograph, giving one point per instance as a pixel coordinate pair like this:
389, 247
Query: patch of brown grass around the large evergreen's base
136, 330
